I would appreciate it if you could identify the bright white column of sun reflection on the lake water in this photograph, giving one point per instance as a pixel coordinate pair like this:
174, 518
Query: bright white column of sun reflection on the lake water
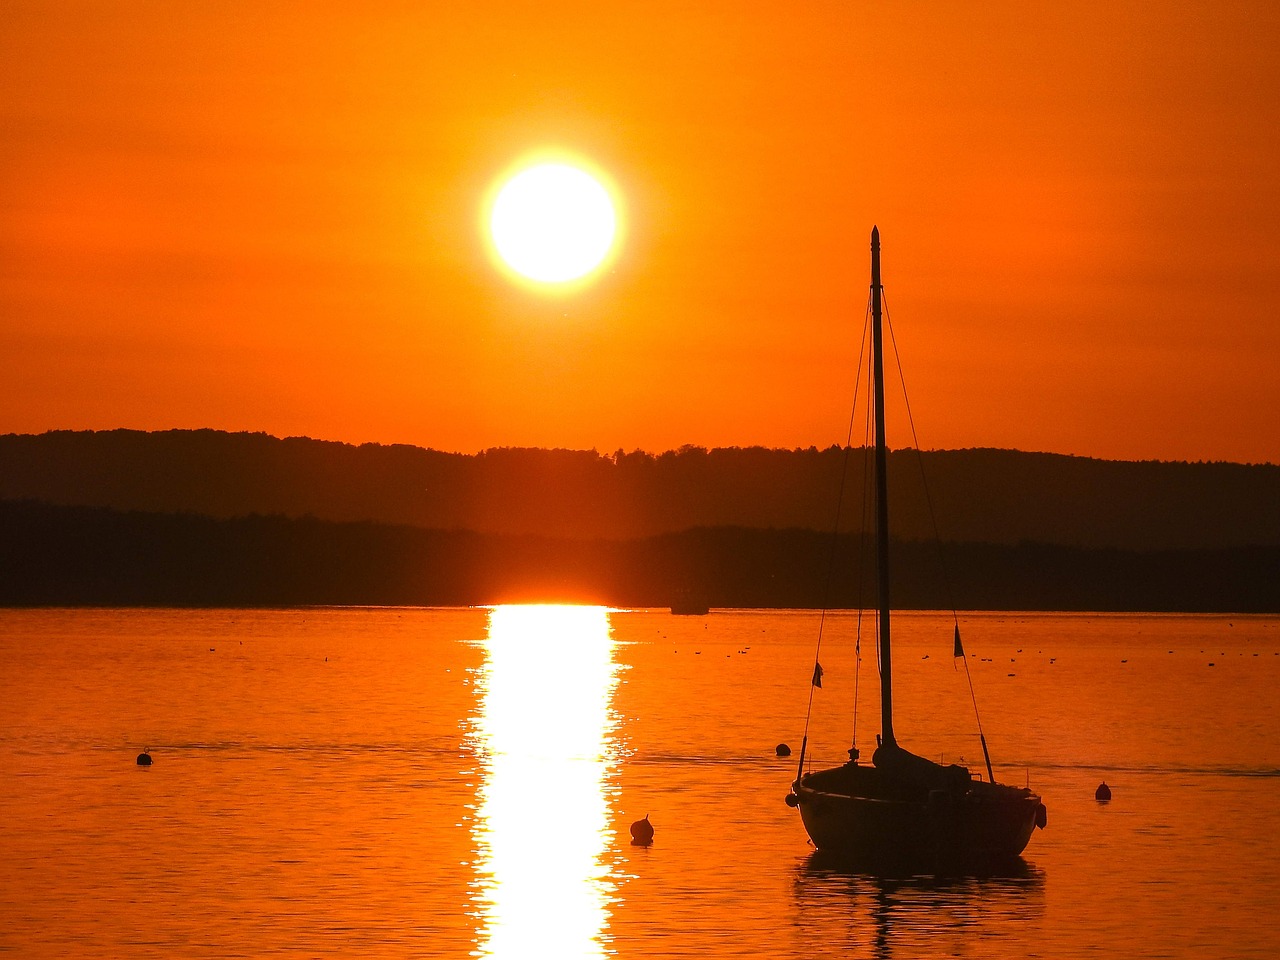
546, 740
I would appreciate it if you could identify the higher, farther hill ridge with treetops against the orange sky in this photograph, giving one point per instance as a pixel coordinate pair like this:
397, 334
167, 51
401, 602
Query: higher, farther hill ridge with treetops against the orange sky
979, 496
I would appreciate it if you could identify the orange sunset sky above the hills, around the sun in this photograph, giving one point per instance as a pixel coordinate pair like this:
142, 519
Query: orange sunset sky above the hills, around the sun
239, 217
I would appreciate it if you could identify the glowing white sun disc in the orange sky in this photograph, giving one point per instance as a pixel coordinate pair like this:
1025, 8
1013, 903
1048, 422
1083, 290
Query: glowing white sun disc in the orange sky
554, 223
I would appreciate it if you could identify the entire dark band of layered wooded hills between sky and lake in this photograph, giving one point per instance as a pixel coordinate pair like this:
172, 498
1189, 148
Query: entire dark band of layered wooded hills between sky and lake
202, 518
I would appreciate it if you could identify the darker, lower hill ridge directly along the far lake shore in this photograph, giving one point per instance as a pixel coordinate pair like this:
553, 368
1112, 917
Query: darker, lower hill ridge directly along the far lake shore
93, 556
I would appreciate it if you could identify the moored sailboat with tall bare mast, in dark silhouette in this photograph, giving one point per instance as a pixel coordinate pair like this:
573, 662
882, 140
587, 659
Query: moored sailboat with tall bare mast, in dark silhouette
904, 808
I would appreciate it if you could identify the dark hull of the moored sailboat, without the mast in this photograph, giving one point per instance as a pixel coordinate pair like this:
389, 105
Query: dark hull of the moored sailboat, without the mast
856, 812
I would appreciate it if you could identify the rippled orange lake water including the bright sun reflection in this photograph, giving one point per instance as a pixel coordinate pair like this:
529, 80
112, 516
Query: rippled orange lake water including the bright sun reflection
460, 783
